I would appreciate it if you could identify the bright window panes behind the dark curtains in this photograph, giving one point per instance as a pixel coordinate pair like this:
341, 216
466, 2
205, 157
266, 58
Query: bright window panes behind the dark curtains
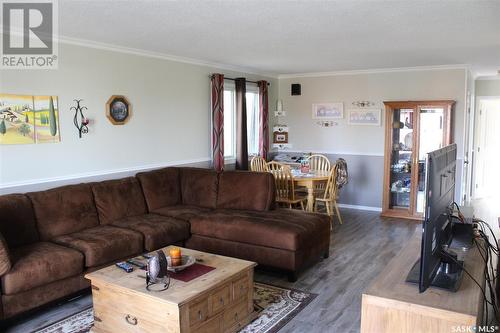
252, 100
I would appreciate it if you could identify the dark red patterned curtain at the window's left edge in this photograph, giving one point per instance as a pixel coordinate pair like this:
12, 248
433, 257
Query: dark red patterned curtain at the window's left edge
218, 121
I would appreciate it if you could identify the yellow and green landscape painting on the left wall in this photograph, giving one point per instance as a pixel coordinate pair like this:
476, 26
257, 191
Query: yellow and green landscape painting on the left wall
27, 119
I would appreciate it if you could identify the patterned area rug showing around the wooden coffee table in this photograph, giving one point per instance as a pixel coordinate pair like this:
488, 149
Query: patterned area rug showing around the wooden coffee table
275, 306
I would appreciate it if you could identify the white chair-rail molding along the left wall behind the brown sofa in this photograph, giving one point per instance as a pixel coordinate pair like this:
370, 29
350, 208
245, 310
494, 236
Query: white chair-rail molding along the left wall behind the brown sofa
47, 183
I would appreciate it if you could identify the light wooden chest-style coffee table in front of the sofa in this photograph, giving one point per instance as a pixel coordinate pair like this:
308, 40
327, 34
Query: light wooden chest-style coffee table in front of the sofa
218, 301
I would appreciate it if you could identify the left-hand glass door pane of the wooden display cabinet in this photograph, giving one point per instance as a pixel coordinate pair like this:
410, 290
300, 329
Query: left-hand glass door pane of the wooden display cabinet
402, 151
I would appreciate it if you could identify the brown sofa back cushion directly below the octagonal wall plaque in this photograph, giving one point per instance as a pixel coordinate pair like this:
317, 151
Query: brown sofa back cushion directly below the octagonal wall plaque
118, 198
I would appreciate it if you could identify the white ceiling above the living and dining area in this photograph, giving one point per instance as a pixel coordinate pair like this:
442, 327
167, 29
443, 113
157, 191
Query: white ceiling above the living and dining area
286, 37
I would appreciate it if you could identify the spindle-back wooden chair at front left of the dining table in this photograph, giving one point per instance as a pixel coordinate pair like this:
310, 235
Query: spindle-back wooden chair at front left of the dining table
285, 188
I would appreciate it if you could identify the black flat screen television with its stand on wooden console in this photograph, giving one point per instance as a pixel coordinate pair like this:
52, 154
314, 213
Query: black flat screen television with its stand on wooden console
438, 265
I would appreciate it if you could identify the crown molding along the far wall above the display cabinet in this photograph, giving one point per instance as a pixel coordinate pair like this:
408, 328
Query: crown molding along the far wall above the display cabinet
373, 71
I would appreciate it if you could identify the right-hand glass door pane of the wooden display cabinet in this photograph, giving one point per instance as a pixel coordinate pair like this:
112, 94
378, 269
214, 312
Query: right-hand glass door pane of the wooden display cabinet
431, 137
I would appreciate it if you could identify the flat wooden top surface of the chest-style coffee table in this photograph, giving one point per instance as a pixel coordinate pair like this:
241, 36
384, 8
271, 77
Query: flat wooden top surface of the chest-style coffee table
179, 292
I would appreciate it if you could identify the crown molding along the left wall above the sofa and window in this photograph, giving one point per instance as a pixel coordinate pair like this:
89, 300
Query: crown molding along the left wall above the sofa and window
162, 56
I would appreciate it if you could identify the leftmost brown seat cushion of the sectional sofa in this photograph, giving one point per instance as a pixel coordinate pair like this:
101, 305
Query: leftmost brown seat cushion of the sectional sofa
40, 263
